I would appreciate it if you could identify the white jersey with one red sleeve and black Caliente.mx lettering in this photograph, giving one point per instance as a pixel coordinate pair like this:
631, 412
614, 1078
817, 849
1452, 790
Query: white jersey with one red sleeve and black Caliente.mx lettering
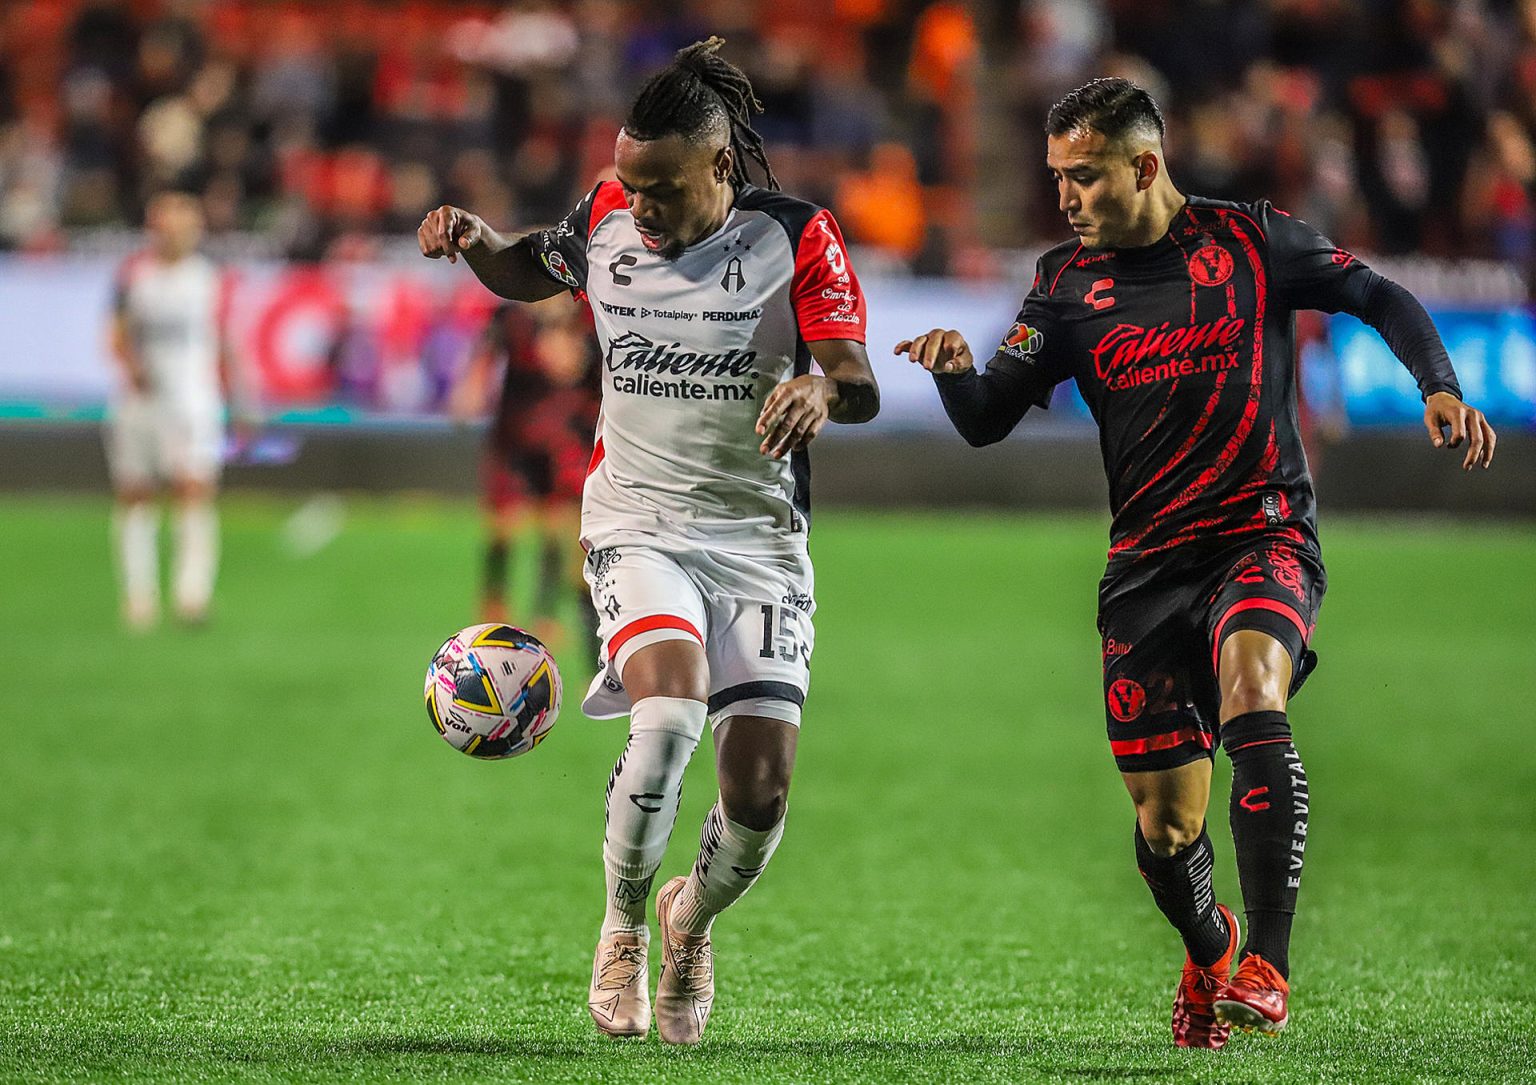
692, 348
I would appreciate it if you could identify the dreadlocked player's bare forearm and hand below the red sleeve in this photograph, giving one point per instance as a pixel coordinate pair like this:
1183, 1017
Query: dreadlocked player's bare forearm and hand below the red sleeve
844, 393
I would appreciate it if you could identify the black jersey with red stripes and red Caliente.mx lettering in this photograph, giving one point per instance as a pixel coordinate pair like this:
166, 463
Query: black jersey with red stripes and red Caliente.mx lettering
1185, 354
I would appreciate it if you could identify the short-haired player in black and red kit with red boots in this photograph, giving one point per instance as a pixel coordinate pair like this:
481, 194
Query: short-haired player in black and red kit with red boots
1174, 317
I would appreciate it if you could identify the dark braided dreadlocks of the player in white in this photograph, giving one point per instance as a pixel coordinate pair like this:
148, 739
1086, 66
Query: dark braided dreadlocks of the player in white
697, 93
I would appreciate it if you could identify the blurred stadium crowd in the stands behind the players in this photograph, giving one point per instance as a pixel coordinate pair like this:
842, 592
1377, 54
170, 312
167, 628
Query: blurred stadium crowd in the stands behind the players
313, 130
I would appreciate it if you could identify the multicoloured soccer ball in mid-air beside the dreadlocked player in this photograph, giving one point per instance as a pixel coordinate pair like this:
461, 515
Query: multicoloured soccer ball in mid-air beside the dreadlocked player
494, 691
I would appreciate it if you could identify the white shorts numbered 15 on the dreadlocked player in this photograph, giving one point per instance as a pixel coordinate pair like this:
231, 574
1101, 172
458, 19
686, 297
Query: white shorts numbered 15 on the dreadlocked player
752, 615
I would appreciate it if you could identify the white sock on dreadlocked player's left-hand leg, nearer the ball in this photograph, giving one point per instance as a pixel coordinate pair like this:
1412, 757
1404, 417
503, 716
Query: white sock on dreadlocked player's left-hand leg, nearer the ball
643, 803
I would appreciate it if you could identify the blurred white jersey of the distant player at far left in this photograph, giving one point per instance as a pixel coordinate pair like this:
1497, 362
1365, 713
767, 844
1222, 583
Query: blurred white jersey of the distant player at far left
173, 316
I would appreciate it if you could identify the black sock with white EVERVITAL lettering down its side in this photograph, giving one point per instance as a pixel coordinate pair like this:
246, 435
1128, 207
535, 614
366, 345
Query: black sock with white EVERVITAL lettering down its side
1270, 828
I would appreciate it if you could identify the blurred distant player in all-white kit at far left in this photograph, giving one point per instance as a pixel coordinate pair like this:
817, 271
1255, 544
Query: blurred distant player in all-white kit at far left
165, 422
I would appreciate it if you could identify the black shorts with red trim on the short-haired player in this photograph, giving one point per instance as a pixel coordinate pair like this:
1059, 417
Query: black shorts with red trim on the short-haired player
1162, 643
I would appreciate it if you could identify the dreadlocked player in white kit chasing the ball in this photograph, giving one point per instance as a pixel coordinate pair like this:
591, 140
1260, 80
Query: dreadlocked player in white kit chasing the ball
712, 297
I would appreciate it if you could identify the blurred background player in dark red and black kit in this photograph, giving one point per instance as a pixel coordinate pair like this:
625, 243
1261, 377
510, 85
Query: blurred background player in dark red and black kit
537, 453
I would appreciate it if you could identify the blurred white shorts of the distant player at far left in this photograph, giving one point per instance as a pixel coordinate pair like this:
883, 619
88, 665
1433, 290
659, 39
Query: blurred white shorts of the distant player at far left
150, 442
